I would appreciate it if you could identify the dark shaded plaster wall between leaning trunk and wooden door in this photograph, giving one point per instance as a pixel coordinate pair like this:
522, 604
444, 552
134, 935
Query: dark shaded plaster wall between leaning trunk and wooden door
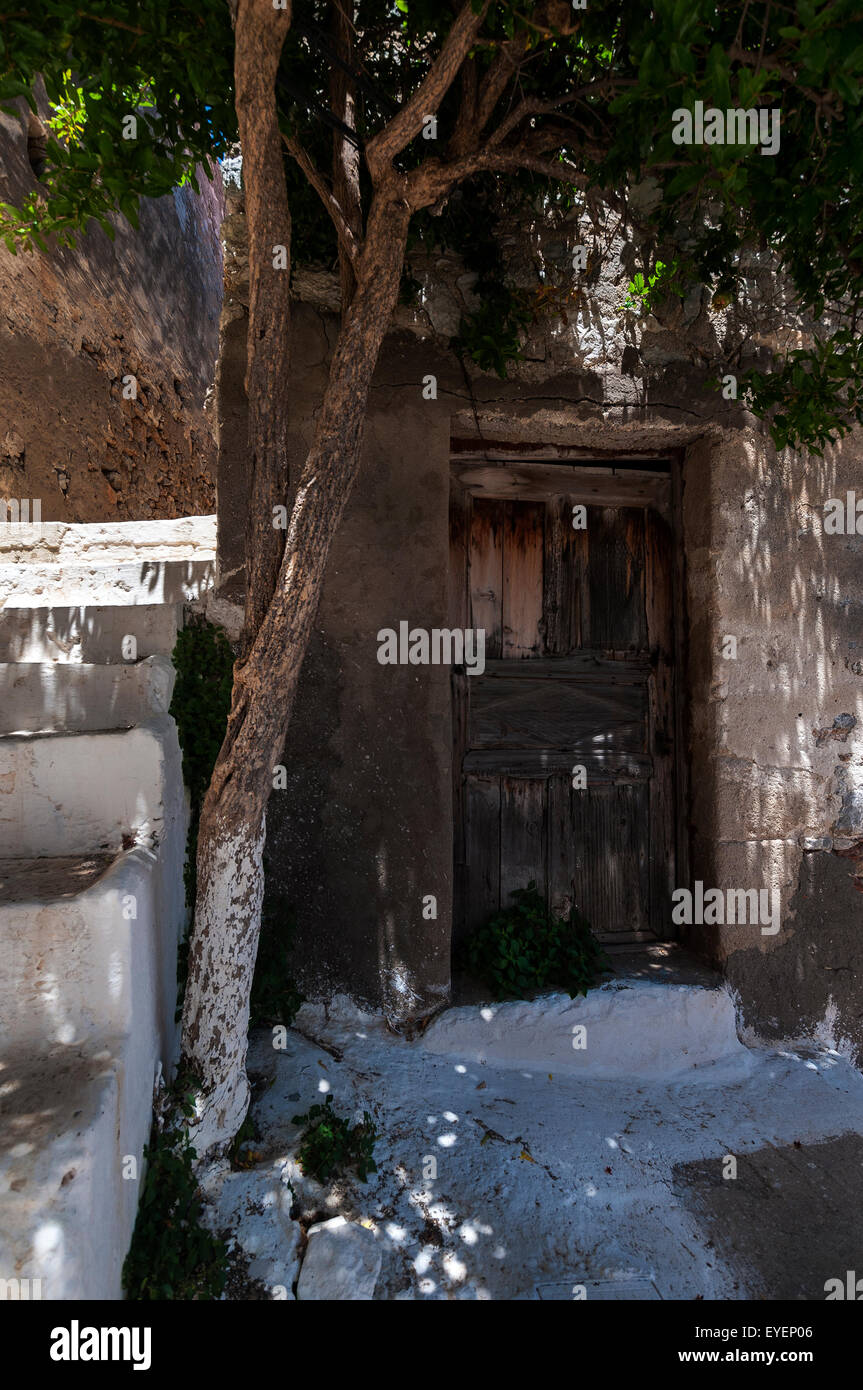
363, 831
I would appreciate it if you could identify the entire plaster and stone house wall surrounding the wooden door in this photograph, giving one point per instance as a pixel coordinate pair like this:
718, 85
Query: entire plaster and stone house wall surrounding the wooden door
758, 565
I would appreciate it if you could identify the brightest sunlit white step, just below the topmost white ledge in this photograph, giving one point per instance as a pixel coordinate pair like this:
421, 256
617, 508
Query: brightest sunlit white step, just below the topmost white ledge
72, 586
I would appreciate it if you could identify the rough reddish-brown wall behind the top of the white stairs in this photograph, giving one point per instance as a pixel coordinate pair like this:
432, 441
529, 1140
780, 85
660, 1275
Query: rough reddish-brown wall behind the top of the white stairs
74, 322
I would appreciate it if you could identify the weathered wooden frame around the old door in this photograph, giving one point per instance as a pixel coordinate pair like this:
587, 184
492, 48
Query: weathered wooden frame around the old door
652, 482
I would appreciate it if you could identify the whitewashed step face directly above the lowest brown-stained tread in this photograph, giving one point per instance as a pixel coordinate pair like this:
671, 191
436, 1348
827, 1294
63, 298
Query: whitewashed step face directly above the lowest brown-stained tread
79, 794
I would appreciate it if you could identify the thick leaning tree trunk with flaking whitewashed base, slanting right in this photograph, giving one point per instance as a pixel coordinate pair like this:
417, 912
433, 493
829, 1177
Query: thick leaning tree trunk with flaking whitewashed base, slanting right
233, 825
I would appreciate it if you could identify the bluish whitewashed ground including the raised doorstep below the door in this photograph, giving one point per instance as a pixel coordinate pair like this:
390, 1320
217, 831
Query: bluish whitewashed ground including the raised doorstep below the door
665, 1160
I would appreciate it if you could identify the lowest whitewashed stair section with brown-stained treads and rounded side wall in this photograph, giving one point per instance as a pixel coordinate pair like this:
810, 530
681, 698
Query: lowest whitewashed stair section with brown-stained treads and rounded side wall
87, 1007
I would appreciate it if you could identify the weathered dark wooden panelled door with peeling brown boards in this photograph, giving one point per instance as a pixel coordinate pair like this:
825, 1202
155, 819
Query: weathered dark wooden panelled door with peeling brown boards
565, 746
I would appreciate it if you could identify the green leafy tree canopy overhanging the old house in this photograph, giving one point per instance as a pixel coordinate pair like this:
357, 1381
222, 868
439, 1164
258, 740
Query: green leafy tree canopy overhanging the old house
550, 98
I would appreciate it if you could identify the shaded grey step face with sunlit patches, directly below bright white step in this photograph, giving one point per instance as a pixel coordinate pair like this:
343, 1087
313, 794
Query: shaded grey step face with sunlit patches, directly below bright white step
92, 635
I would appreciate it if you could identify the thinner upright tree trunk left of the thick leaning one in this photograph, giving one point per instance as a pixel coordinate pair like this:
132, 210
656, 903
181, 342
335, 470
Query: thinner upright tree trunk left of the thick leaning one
230, 846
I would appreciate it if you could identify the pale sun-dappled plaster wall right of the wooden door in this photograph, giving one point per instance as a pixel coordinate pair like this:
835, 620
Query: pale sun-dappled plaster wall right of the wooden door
778, 753
